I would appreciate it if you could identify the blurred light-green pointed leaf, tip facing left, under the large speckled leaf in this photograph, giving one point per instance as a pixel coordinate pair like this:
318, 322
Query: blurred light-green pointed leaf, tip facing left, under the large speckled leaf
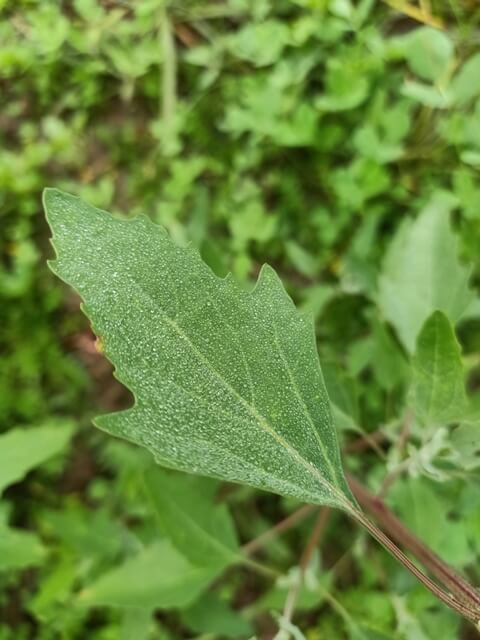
158, 577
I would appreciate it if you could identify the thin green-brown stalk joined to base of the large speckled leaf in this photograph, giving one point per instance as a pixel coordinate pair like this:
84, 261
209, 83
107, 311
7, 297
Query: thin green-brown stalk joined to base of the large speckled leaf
469, 610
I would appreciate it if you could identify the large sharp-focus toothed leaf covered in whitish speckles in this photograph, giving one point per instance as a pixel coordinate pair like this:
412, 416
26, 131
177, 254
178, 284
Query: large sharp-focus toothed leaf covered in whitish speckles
227, 383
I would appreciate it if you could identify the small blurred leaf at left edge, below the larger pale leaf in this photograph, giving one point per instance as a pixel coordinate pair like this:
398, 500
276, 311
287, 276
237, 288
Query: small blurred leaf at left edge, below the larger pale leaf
19, 549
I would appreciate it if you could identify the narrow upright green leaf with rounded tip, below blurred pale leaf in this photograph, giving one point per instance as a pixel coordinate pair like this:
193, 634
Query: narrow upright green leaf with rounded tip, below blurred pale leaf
438, 391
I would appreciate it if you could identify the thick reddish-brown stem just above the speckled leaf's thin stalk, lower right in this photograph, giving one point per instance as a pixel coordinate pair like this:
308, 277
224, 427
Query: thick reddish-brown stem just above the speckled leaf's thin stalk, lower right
462, 590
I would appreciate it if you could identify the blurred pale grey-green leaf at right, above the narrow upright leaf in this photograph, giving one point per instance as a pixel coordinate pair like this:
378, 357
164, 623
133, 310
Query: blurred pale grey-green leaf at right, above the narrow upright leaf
421, 273
